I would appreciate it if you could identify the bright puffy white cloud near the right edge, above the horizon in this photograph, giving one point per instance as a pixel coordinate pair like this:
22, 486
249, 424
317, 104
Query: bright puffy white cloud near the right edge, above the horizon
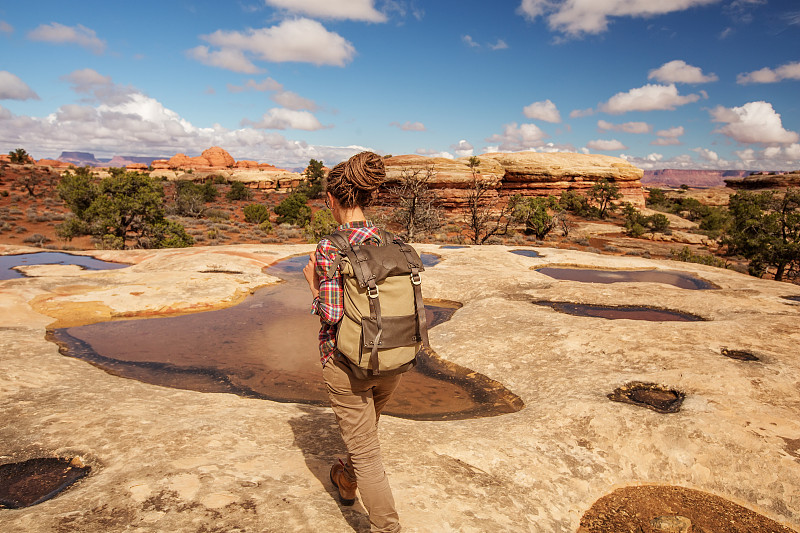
754, 122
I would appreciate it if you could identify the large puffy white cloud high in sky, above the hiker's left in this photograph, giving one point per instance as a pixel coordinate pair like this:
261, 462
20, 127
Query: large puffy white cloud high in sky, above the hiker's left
301, 40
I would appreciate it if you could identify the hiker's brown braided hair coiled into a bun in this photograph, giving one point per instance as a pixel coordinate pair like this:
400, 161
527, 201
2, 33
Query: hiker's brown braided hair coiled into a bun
352, 182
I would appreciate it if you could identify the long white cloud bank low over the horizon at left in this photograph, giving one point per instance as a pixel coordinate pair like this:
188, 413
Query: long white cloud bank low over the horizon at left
143, 126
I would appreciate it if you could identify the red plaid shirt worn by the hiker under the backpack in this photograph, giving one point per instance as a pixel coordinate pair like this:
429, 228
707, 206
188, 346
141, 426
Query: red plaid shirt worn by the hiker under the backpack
330, 303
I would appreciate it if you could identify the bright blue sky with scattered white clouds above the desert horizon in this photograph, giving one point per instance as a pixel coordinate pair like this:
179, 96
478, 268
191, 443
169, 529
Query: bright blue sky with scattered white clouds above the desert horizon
669, 84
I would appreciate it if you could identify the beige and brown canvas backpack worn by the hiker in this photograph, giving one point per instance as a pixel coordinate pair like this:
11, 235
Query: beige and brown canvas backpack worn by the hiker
384, 325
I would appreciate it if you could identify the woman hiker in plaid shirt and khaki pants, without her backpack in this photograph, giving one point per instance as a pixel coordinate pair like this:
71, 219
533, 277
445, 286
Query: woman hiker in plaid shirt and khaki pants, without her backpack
357, 403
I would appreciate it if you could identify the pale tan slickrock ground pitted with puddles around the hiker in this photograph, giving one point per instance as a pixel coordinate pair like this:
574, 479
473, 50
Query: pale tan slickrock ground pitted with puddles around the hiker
174, 460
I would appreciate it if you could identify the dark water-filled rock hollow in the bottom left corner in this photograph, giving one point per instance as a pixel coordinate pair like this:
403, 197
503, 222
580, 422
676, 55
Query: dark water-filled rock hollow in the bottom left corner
37, 480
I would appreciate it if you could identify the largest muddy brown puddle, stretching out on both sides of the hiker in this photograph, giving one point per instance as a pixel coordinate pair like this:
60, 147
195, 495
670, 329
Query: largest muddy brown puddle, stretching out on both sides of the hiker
266, 347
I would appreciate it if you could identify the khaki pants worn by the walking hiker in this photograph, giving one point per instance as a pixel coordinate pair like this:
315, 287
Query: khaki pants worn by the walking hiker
357, 405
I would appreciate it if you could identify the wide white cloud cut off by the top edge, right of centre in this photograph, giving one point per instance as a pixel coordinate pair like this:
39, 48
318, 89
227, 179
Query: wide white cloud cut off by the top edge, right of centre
578, 17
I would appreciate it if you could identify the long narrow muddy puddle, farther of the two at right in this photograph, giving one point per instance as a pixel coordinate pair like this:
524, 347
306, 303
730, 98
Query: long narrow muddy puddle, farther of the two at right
590, 275
